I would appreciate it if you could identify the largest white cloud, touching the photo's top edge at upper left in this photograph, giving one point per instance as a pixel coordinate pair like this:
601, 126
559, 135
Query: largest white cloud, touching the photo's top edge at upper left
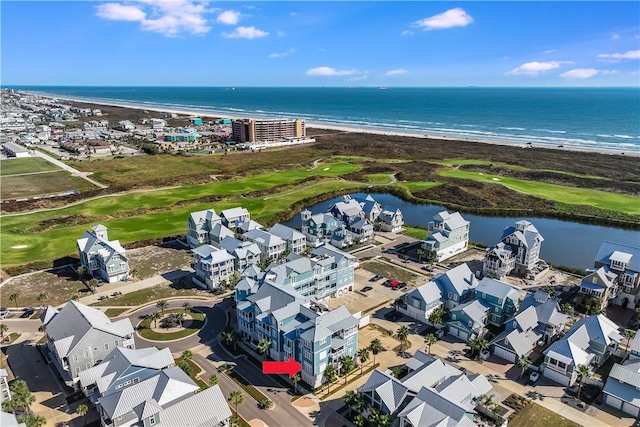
170, 18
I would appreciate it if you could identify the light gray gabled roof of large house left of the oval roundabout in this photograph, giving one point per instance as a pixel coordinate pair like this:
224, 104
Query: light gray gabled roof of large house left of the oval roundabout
75, 320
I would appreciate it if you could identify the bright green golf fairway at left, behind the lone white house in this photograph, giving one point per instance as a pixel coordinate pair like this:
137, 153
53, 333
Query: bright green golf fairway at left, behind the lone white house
20, 245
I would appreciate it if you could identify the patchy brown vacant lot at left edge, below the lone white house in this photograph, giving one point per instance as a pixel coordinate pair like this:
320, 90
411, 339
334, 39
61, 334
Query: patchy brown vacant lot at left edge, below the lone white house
59, 285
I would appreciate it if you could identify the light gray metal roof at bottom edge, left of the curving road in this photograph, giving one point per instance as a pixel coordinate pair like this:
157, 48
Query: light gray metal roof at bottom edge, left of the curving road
206, 408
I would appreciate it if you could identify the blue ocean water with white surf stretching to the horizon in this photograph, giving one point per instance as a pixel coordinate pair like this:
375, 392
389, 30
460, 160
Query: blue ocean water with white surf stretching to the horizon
606, 119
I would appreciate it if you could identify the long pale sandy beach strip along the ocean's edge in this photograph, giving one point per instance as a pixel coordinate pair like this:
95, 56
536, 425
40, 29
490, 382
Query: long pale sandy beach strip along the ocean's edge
346, 128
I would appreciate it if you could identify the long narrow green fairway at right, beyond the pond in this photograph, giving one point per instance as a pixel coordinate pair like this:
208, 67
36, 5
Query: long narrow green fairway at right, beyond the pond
571, 195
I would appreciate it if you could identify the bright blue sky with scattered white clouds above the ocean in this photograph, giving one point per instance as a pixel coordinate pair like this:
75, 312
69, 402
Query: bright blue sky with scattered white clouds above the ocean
362, 43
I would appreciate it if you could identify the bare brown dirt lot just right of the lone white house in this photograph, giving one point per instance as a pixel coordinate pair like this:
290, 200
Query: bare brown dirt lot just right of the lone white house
151, 260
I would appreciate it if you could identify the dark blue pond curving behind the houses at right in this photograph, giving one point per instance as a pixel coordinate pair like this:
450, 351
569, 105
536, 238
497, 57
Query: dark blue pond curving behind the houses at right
567, 243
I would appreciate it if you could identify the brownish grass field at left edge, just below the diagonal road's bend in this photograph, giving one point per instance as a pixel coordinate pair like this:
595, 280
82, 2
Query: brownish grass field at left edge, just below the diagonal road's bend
18, 186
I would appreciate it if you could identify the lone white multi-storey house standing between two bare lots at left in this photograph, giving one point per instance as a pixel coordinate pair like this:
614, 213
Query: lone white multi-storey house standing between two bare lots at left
102, 258
